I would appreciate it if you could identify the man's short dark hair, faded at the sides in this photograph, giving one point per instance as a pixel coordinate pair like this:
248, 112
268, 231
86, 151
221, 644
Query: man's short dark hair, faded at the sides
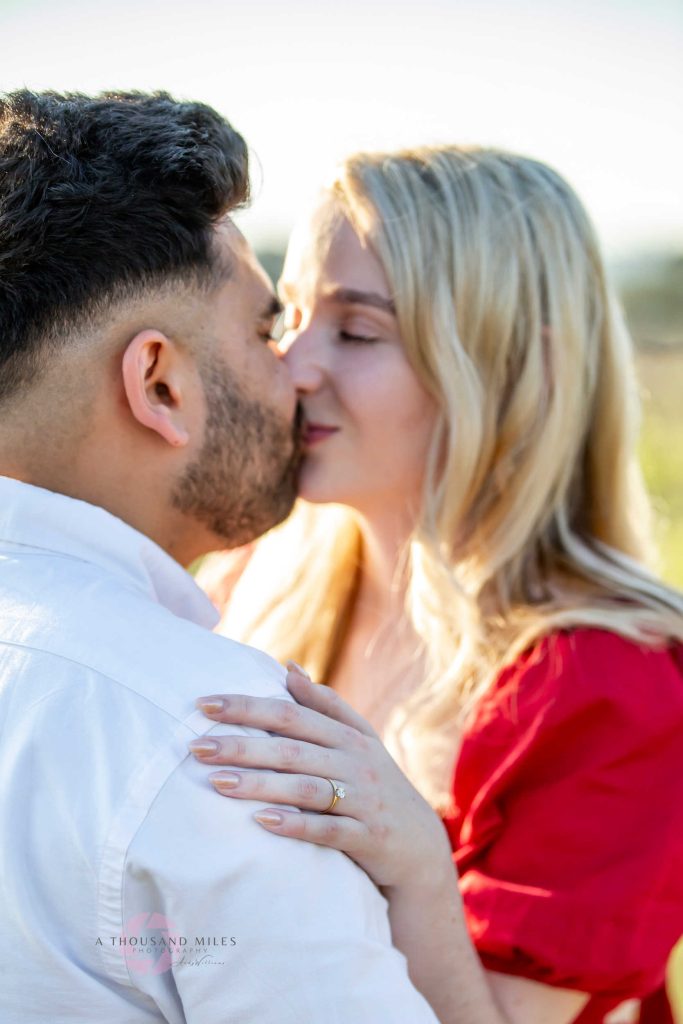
102, 198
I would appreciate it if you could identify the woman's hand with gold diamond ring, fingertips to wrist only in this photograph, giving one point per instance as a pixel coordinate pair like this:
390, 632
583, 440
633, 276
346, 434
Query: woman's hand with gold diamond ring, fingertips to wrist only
381, 822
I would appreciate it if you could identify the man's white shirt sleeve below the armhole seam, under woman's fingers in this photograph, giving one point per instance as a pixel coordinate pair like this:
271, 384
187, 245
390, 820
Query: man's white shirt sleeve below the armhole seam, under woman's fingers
265, 928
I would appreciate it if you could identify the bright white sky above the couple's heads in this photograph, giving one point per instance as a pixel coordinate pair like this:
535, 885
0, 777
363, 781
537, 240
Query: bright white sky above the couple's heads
594, 88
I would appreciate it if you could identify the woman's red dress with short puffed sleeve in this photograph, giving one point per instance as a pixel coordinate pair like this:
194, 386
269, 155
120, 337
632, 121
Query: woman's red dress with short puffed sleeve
568, 827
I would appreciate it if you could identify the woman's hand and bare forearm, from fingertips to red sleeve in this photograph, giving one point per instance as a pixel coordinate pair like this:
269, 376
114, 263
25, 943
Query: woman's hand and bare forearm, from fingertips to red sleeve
385, 825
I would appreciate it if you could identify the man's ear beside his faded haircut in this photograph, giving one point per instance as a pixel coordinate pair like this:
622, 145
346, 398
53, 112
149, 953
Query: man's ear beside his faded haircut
156, 386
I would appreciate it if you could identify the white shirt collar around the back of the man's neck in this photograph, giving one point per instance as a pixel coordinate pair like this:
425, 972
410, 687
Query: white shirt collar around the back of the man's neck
41, 520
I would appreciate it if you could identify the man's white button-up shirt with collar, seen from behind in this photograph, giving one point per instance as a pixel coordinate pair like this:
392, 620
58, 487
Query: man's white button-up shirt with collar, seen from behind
130, 890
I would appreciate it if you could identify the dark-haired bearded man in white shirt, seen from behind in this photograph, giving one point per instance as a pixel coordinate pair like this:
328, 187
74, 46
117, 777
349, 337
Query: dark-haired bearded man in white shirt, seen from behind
146, 420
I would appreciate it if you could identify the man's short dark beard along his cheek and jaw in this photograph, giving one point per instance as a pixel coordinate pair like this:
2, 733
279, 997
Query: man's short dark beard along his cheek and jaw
244, 481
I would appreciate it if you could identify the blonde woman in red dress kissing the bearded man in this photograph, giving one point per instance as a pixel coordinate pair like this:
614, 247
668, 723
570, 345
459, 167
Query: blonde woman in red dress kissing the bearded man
477, 592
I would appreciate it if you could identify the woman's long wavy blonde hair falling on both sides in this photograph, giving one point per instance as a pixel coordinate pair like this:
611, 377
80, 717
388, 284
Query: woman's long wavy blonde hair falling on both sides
534, 515
